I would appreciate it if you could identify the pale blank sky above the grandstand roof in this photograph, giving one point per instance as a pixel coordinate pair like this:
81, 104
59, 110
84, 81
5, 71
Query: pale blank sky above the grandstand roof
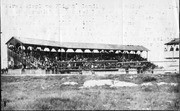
150, 23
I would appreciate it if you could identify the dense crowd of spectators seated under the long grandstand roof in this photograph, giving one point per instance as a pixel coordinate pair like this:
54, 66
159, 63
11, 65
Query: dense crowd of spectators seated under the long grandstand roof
59, 61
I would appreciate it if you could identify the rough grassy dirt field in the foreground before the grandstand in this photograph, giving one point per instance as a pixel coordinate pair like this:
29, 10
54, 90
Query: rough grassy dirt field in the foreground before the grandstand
51, 93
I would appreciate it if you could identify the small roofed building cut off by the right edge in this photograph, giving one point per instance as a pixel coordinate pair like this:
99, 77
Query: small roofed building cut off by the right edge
171, 52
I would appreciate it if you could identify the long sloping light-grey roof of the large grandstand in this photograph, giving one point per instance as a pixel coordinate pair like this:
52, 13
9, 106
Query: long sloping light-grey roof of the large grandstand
75, 45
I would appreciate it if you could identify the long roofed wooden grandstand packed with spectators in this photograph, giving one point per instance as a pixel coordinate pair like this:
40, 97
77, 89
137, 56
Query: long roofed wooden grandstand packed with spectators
28, 53
